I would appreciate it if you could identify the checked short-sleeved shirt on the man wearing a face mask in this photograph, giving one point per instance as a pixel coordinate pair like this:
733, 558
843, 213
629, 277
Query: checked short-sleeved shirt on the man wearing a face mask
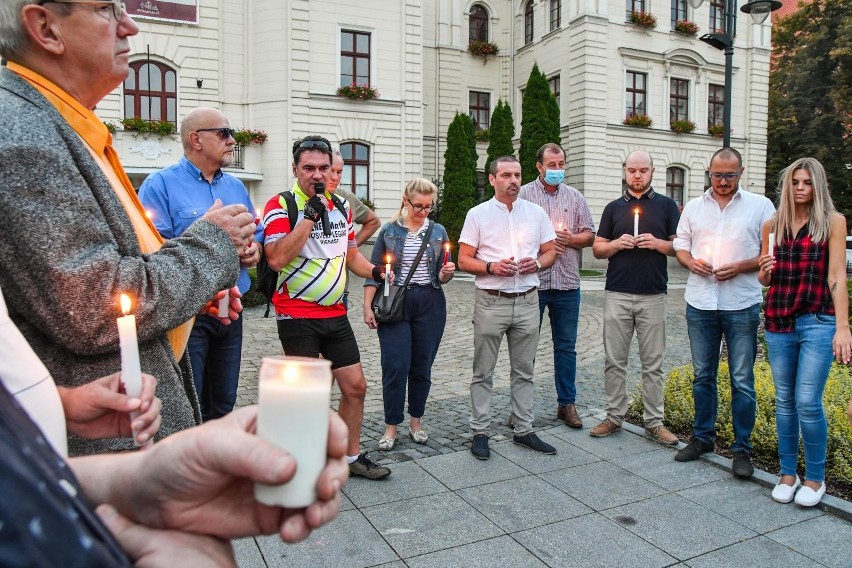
567, 208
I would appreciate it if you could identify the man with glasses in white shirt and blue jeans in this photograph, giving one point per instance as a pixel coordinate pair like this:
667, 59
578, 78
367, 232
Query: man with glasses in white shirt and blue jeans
718, 241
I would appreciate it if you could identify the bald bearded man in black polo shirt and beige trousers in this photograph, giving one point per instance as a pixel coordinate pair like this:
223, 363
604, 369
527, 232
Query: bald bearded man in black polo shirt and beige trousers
636, 233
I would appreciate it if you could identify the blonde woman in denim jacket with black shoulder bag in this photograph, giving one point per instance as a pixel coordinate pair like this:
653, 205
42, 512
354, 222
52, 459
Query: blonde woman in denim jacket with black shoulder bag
409, 346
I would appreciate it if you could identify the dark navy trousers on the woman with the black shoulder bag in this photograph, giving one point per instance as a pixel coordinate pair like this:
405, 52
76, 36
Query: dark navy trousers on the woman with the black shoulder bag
408, 350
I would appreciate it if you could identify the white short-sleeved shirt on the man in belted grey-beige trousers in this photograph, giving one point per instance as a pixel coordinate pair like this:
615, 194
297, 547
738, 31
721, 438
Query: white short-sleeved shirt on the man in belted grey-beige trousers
497, 233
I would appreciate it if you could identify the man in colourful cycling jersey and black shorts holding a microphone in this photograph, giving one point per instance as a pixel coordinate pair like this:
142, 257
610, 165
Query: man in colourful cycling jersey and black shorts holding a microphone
312, 254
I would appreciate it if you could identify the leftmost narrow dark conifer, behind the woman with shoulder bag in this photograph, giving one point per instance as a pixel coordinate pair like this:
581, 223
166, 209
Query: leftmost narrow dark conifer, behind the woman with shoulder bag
459, 191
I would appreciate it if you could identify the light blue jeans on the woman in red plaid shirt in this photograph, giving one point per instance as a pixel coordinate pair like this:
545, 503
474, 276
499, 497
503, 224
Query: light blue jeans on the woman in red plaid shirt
800, 361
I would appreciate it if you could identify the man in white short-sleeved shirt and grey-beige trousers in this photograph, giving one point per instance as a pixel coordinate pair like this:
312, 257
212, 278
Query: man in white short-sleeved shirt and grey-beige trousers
505, 242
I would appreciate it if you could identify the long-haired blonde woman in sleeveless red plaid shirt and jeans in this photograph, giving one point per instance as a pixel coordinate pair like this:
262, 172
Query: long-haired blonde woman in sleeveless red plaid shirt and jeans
807, 321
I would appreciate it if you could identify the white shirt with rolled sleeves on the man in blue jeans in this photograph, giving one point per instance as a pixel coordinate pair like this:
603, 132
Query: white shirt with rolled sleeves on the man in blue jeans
723, 236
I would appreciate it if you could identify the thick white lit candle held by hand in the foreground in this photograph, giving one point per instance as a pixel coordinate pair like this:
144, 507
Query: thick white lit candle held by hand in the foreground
293, 415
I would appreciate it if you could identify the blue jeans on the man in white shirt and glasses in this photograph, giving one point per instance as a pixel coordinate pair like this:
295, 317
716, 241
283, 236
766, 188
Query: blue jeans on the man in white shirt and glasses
706, 328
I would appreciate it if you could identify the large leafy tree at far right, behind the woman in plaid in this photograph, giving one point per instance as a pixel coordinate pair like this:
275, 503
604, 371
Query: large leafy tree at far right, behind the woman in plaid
810, 95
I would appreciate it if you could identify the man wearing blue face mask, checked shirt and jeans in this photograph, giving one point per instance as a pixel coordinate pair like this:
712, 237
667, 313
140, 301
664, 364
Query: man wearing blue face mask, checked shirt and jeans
559, 290
